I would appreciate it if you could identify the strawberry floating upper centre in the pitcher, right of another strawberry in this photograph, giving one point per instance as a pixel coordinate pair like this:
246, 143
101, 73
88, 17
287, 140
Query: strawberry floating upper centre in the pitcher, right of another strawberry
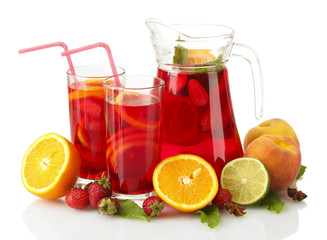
198, 95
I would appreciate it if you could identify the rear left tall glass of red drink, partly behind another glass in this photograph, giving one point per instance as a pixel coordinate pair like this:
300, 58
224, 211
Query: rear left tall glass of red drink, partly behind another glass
87, 119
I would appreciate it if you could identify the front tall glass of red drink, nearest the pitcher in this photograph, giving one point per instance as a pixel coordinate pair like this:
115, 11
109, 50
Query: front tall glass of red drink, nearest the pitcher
133, 117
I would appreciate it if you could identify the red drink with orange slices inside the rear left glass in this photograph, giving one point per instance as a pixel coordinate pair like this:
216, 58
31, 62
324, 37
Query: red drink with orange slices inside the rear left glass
87, 124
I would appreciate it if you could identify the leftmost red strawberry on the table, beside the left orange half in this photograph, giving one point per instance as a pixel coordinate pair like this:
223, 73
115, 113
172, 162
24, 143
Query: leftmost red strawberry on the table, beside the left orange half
77, 198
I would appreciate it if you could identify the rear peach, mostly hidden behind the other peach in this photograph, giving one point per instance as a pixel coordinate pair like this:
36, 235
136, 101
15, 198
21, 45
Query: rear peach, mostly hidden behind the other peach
274, 126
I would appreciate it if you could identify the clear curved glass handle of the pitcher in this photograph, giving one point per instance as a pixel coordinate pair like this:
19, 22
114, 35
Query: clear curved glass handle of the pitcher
247, 53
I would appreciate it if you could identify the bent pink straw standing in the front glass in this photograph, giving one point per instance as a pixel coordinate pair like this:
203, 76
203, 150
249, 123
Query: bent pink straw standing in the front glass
95, 45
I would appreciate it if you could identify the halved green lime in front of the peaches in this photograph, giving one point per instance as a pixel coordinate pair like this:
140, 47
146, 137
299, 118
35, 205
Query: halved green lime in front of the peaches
247, 179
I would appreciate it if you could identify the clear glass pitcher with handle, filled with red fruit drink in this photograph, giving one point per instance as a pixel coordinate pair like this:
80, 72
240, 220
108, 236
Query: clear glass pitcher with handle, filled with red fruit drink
198, 111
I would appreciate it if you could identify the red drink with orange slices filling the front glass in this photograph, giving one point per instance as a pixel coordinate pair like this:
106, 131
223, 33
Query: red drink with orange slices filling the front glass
133, 145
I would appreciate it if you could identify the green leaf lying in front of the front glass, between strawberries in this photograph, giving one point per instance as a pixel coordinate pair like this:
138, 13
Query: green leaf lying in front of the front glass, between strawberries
129, 209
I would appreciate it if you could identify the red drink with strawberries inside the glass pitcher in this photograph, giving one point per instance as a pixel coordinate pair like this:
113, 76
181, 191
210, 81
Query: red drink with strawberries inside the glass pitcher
198, 117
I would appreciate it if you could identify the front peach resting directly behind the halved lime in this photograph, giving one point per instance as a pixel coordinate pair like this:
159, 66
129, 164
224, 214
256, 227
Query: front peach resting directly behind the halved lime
280, 155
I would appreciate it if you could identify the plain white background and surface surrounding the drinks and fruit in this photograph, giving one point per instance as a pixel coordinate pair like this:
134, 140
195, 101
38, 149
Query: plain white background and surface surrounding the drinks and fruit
290, 39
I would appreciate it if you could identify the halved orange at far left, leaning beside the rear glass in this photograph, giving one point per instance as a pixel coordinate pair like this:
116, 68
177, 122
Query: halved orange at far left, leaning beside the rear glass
50, 166
